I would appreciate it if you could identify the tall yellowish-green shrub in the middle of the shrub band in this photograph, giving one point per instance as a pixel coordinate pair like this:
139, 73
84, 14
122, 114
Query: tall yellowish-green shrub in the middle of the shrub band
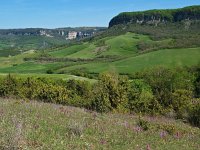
111, 92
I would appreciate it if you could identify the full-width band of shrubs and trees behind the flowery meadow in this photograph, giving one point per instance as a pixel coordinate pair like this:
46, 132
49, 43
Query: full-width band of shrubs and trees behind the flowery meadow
170, 92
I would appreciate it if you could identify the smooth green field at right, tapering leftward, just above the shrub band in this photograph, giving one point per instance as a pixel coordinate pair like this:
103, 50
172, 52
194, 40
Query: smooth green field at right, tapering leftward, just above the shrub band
168, 58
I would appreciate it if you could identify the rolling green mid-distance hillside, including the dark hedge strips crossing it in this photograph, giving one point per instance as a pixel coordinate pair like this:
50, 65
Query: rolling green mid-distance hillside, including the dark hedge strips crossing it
120, 53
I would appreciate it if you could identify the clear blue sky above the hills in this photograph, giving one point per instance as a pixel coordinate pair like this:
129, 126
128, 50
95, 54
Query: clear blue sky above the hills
74, 13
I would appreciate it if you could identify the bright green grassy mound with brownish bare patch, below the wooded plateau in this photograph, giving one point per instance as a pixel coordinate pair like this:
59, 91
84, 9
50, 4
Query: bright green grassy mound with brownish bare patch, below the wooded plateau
123, 45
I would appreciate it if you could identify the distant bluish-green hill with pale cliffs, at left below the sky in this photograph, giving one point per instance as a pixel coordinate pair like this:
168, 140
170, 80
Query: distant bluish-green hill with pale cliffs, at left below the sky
15, 41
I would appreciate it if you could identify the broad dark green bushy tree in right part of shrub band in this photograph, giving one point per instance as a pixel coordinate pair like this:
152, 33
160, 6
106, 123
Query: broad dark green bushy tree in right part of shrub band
164, 82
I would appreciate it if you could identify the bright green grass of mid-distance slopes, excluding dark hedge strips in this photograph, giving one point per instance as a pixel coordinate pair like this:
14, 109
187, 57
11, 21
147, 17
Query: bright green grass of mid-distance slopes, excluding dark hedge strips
123, 46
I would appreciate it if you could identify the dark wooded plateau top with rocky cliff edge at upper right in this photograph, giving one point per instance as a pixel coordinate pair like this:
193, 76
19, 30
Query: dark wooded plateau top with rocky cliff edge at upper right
157, 16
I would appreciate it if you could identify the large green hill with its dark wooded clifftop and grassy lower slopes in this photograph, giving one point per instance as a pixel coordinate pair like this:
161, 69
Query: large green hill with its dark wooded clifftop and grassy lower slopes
126, 47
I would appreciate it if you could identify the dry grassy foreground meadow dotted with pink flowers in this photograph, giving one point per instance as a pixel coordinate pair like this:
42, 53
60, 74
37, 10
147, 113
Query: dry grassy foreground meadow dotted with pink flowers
33, 125
